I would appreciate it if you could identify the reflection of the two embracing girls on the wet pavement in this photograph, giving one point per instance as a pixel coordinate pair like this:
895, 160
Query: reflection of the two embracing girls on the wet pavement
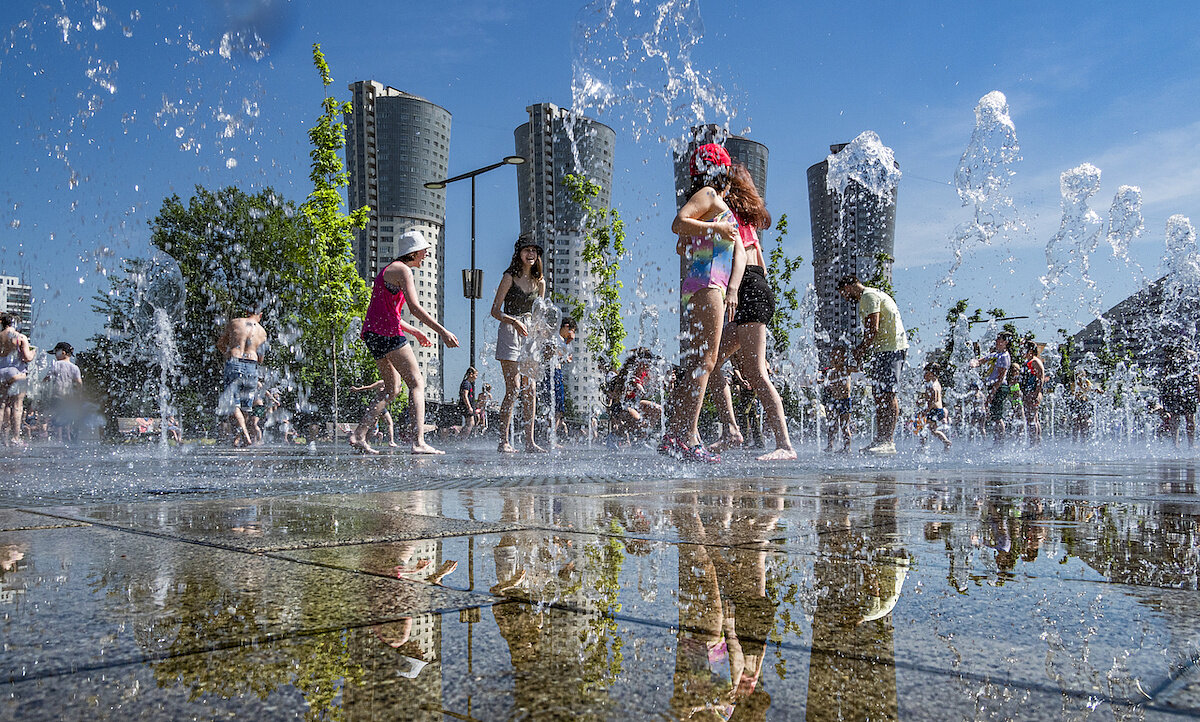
725, 613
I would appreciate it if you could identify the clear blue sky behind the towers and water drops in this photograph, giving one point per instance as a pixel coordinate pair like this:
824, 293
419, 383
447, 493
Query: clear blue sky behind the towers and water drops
87, 169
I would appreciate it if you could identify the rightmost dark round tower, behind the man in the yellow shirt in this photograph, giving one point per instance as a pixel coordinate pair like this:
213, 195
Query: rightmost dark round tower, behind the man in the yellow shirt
851, 234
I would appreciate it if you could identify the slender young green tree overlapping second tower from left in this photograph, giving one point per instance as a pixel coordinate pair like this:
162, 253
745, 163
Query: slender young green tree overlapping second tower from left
604, 245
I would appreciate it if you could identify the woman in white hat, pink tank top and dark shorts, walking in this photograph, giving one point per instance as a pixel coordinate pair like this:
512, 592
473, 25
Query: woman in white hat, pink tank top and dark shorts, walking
385, 335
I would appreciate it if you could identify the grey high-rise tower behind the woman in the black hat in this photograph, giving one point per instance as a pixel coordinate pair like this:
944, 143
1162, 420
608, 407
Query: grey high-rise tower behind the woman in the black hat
557, 143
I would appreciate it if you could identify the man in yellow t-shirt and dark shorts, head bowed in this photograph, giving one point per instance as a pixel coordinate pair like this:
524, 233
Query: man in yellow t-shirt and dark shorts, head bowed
881, 354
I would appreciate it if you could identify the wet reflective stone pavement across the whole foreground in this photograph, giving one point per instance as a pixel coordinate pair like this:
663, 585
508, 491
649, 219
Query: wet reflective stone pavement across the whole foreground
289, 583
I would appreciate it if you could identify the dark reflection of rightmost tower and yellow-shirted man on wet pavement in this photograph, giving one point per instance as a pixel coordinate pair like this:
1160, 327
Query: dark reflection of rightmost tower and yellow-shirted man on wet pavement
860, 573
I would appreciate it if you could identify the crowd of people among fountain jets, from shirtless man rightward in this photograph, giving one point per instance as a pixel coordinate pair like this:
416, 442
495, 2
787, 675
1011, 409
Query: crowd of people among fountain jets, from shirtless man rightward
727, 306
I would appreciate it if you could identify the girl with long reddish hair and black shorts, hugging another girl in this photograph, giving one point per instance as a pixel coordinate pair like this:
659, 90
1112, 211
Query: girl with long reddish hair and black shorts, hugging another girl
746, 338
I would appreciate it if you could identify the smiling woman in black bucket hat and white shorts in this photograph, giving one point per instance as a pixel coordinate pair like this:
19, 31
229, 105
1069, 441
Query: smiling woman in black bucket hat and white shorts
521, 285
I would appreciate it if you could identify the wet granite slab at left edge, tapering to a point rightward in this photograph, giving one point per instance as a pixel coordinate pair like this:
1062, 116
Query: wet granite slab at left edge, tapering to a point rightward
89, 598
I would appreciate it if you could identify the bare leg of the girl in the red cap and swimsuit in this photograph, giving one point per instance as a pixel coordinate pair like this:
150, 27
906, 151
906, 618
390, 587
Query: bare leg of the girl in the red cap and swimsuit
705, 317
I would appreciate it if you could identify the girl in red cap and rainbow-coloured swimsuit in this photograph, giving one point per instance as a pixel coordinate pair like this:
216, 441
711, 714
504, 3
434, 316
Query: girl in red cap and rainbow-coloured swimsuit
713, 260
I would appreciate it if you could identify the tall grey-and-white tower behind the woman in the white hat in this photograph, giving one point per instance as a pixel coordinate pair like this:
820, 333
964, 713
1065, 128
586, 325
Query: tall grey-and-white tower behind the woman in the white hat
395, 143
